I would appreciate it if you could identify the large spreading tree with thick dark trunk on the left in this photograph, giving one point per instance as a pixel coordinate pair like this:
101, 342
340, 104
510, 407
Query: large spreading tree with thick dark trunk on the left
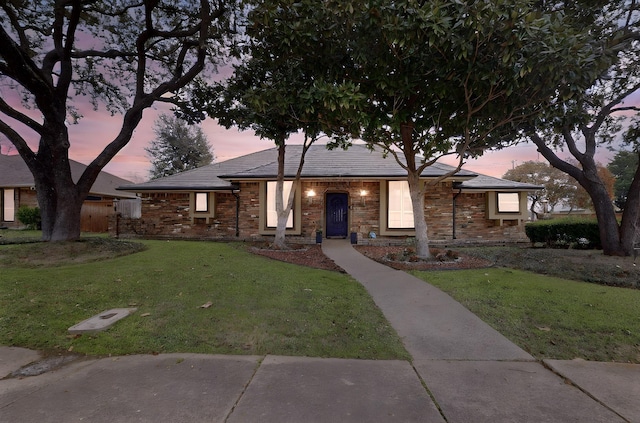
122, 54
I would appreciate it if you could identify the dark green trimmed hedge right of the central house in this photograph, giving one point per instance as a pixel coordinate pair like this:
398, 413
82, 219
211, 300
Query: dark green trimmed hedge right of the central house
565, 233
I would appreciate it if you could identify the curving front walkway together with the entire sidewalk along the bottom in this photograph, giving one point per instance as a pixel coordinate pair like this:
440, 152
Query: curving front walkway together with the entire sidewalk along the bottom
462, 371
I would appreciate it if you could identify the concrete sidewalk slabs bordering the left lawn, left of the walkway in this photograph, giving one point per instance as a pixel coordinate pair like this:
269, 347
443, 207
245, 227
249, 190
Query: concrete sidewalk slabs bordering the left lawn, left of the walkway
207, 388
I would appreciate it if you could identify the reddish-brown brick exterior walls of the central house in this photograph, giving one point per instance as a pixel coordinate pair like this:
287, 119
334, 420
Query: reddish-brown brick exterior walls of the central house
166, 215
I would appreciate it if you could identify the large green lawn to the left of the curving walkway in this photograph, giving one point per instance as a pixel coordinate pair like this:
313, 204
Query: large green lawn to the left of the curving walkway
259, 306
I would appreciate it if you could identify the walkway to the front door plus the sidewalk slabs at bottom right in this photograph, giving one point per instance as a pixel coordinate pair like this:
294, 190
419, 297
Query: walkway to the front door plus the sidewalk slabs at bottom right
477, 375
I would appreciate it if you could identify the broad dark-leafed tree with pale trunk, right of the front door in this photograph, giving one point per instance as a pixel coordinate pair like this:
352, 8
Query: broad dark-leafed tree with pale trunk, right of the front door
425, 80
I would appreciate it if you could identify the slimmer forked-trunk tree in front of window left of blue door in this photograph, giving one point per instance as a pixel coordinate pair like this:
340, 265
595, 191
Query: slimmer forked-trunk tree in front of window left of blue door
273, 92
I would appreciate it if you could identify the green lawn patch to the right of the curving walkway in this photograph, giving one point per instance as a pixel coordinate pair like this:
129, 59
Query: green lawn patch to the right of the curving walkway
547, 316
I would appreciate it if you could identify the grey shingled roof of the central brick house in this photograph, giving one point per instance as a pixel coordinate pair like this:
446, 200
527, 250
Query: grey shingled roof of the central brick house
320, 163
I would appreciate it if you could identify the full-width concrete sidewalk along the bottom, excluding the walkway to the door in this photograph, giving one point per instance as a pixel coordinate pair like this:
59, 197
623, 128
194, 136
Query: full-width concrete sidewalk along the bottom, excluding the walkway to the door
209, 388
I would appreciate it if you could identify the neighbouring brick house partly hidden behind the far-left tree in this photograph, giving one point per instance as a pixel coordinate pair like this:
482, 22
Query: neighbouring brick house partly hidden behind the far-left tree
17, 189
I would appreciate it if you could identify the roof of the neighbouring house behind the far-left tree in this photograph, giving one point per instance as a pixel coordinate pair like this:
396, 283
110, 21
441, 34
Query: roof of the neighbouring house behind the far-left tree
14, 173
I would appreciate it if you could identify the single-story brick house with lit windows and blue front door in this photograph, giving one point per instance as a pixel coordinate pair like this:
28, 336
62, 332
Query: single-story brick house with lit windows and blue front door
357, 194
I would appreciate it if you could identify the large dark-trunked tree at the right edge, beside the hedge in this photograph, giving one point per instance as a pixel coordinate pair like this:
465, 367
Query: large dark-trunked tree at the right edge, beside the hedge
587, 121
